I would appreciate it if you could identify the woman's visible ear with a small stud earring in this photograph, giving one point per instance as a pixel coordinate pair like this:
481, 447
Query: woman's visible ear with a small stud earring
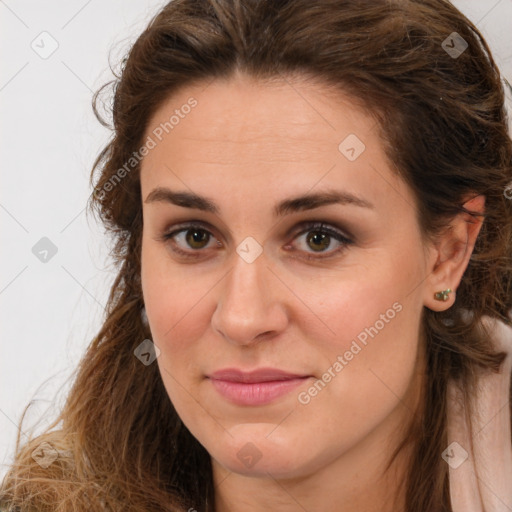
450, 253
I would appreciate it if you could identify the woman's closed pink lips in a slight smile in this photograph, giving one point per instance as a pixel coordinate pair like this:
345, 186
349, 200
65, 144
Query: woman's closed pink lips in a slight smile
258, 387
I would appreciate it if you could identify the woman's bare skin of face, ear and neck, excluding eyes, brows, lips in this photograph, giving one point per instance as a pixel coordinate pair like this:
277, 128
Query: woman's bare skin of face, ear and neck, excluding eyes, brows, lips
248, 145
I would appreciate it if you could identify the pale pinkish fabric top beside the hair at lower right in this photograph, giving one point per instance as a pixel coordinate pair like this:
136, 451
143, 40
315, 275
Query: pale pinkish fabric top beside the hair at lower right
481, 481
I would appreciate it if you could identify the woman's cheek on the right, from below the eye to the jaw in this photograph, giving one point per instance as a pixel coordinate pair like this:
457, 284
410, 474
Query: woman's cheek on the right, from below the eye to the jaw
368, 340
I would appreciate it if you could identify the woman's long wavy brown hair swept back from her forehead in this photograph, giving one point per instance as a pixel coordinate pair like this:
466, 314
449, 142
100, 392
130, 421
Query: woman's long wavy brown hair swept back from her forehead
443, 124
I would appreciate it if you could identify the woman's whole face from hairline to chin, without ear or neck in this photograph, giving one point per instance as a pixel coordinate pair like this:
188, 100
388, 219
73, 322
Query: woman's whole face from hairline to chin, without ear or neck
248, 282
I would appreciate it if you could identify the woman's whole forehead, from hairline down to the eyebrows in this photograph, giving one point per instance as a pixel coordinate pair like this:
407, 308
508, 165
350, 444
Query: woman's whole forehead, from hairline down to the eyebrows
247, 135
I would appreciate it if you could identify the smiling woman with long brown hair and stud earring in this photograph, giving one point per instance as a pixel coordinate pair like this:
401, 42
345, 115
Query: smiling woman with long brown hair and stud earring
312, 310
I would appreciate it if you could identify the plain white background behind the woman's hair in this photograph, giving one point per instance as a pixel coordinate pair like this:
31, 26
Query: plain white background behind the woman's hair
49, 138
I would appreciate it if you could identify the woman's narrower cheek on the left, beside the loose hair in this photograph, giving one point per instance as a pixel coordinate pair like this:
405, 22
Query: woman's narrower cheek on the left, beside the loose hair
179, 309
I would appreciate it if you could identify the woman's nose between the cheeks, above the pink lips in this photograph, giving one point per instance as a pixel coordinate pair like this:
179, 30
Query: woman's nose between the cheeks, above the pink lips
251, 303
